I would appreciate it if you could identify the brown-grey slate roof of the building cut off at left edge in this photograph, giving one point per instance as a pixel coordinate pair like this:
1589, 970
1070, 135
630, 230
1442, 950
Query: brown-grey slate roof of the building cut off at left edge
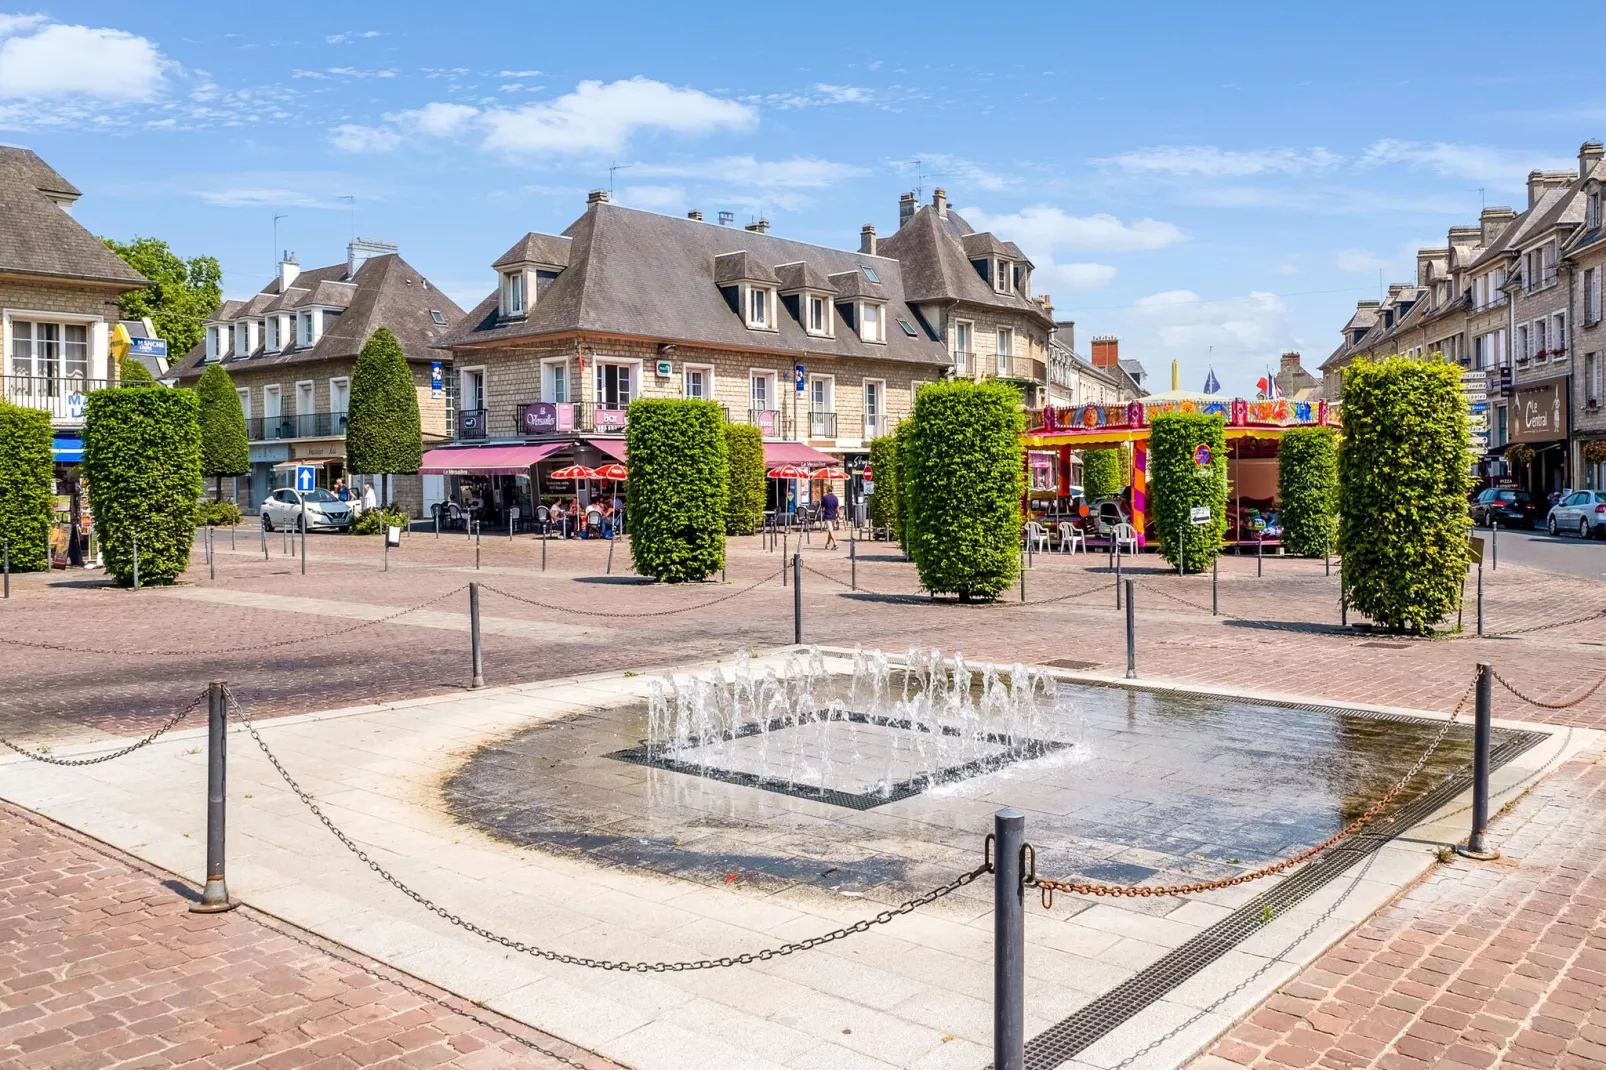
39, 239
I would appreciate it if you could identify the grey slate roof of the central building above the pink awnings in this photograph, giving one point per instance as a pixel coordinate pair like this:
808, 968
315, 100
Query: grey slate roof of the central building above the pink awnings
648, 276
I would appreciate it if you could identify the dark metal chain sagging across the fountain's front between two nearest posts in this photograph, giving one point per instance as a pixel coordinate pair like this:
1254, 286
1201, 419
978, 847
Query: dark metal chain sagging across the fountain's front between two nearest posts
574, 960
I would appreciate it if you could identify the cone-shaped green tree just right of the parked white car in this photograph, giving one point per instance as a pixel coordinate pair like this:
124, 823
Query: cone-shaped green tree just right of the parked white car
383, 430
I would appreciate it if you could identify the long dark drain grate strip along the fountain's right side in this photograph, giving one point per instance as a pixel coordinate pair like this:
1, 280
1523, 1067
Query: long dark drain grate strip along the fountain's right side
1066, 1040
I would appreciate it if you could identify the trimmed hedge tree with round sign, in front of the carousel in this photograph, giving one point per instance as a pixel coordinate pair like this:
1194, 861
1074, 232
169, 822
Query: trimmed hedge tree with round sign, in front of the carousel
1178, 484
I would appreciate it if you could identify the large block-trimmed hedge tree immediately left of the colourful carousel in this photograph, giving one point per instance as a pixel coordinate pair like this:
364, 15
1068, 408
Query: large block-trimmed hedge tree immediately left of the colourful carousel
963, 473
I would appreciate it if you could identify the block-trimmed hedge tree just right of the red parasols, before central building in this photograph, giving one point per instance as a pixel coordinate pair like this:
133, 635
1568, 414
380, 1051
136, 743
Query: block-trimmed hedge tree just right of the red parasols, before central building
679, 491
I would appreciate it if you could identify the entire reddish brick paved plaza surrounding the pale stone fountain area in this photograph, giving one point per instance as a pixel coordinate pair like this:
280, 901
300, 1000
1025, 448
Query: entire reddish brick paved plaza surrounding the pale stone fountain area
1480, 965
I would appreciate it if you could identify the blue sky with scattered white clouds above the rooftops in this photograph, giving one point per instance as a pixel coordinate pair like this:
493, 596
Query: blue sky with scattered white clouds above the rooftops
1212, 184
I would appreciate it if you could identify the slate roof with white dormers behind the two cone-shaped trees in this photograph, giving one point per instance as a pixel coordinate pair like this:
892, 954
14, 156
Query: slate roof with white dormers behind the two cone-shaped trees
386, 292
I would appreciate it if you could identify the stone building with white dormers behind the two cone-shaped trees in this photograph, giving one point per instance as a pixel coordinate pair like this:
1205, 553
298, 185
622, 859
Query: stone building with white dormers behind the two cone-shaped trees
291, 351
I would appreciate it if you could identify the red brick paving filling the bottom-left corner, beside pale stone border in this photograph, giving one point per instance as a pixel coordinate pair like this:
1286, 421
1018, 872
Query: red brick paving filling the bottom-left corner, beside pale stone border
104, 966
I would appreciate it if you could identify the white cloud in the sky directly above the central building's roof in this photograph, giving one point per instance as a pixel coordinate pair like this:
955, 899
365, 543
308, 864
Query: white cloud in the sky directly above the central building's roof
601, 118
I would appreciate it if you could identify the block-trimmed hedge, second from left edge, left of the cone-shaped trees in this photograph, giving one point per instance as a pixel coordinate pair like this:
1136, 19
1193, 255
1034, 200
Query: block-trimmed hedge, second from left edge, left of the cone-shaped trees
142, 459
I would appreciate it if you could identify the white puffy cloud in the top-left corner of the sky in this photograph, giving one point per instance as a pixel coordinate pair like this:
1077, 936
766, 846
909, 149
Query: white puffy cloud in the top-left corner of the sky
62, 60
